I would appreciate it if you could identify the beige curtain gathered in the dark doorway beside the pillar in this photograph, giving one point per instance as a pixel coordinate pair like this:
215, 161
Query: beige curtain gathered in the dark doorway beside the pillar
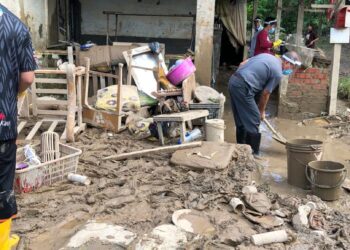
232, 15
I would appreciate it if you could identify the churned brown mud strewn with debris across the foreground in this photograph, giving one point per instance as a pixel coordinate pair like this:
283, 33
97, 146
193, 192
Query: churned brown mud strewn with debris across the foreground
155, 204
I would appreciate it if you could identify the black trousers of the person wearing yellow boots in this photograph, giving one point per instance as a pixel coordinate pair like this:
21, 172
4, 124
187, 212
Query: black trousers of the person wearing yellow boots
8, 207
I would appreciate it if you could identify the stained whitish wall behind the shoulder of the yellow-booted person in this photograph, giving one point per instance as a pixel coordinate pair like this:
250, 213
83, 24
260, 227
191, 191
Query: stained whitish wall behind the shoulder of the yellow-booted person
33, 13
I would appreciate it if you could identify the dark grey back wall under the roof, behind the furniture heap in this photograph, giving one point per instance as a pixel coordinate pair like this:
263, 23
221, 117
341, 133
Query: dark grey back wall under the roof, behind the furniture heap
94, 22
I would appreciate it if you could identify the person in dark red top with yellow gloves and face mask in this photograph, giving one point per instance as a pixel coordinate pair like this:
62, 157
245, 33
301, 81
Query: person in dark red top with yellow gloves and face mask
263, 43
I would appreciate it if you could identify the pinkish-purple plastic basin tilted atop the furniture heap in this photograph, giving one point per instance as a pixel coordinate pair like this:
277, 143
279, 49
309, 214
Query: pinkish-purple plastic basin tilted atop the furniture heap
181, 72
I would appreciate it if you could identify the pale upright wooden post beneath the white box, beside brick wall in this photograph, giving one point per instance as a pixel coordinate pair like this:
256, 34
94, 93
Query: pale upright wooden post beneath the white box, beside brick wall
333, 88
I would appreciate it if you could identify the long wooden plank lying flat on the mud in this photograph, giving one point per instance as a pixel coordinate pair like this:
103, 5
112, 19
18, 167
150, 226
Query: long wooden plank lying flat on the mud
153, 150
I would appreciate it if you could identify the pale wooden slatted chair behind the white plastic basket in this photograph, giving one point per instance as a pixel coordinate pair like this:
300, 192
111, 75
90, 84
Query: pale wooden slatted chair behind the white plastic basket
66, 86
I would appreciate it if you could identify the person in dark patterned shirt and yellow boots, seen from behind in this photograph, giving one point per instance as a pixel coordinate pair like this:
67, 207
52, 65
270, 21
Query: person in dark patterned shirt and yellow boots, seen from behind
17, 65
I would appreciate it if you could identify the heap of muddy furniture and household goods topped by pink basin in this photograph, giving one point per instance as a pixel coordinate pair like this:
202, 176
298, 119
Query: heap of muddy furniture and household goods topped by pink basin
150, 90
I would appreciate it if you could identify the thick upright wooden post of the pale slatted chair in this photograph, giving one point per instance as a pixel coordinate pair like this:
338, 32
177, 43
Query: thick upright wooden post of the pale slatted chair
72, 102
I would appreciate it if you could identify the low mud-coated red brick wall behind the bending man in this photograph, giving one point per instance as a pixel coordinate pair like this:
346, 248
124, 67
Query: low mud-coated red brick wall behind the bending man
307, 92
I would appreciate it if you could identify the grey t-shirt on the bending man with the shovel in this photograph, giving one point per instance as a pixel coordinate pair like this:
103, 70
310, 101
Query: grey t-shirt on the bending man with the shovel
261, 72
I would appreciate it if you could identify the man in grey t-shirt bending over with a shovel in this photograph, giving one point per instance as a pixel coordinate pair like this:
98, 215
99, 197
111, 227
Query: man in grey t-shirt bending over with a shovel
250, 88
